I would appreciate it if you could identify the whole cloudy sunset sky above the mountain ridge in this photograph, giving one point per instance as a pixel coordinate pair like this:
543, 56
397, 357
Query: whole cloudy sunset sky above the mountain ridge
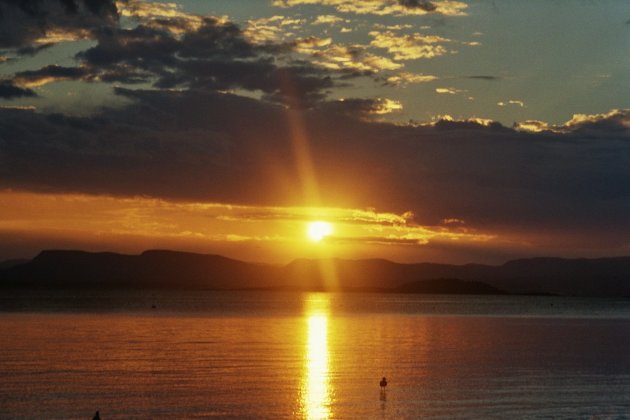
419, 130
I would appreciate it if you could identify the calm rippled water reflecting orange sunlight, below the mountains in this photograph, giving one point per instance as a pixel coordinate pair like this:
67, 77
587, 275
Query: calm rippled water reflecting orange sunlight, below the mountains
290, 355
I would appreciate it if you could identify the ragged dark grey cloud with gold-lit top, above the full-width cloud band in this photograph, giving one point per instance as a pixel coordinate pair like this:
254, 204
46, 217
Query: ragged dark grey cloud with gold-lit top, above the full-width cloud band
215, 57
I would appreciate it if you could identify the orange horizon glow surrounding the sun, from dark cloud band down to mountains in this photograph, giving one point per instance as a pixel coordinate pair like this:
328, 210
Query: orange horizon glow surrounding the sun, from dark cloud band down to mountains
263, 233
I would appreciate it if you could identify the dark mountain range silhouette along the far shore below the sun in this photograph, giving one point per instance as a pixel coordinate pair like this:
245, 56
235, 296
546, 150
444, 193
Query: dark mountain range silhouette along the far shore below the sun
172, 269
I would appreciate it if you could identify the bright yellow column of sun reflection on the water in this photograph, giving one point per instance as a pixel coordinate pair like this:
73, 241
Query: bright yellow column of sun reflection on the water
316, 388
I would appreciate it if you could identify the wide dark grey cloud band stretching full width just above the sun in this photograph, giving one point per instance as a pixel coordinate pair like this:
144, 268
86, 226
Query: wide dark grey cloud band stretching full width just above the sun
222, 147
